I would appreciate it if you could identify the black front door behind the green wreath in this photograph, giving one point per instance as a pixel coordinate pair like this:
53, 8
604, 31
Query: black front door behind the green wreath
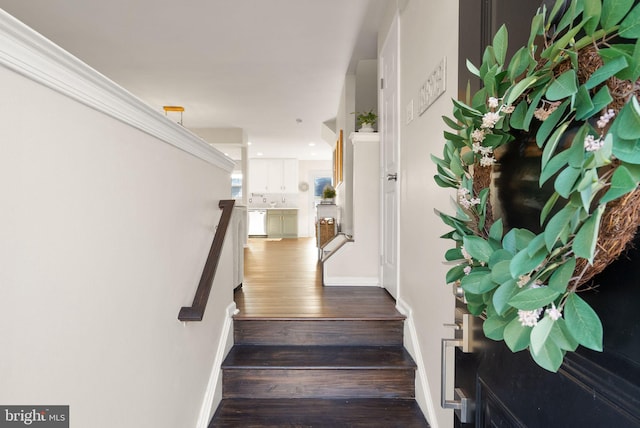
591, 389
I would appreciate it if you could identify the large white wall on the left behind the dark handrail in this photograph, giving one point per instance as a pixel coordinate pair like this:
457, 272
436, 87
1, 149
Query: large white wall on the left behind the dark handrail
104, 231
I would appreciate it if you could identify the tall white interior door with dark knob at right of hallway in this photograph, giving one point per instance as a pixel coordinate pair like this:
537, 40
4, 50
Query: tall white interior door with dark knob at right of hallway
389, 146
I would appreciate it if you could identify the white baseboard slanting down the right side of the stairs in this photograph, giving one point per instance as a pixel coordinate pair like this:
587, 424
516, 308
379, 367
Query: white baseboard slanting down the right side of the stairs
412, 344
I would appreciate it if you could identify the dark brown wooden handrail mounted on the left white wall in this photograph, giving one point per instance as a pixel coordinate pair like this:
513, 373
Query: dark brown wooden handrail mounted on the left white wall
195, 312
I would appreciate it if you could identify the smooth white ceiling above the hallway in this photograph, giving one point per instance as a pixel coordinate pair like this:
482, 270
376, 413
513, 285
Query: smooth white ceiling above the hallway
258, 65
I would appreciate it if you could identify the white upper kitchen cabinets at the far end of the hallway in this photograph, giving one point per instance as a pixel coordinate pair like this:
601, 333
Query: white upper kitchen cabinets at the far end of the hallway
273, 176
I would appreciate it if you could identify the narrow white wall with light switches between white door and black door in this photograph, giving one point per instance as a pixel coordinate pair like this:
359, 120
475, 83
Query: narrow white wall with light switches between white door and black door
428, 32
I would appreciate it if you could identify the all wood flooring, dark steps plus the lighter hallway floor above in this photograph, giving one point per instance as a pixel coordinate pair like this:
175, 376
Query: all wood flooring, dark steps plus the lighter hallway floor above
305, 355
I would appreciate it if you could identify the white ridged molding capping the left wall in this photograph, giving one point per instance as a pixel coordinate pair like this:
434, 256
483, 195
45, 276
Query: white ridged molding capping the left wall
33, 56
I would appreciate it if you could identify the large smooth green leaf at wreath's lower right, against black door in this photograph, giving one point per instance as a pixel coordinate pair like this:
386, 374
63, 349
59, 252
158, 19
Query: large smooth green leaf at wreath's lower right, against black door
583, 322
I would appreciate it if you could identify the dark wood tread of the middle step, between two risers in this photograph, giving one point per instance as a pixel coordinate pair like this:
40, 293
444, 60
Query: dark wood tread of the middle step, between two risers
318, 357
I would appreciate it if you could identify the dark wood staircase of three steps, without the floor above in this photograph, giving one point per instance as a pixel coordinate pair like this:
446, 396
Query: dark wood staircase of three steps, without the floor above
318, 372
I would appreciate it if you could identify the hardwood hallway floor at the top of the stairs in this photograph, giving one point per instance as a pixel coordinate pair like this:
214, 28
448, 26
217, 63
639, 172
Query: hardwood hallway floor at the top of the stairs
282, 280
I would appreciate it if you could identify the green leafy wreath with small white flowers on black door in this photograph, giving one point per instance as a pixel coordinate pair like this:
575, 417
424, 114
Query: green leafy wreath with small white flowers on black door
574, 89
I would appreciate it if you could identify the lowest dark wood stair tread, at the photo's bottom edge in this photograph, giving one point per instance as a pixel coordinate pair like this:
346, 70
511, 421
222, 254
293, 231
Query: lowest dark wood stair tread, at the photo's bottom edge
319, 413
